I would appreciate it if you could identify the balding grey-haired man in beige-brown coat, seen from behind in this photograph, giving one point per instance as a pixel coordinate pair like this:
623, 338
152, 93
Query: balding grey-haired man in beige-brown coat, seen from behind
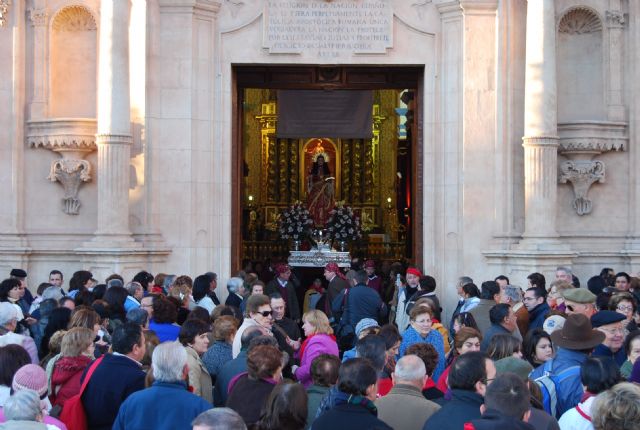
405, 407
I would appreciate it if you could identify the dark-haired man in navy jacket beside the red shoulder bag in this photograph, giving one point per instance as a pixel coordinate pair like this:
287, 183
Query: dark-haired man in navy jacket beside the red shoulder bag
116, 377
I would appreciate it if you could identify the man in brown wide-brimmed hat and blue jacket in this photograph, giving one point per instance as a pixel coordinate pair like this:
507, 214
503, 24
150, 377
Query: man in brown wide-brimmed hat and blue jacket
574, 342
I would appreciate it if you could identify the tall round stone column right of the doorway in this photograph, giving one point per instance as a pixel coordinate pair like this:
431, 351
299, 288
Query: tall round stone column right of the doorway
540, 139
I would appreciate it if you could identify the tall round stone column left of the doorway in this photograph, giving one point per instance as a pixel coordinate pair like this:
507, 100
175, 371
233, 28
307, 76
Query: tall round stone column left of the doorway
114, 124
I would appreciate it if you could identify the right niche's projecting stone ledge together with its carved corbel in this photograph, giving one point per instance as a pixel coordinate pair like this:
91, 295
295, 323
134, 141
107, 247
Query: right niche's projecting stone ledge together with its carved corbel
580, 141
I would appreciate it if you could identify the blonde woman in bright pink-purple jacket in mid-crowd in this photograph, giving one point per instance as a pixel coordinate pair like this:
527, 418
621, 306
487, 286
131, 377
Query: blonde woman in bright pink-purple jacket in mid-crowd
319, 340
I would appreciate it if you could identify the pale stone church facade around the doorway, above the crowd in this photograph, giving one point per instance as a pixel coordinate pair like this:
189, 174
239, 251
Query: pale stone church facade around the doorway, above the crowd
120, 124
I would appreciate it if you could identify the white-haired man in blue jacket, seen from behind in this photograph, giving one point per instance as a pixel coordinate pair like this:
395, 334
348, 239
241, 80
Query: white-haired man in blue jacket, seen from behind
167, 404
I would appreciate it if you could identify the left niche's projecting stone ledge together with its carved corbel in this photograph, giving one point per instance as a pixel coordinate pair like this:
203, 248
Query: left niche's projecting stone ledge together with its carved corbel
73, 139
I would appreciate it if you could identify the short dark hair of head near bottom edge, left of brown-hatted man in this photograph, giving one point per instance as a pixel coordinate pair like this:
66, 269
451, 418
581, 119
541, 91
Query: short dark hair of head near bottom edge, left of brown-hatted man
508, 394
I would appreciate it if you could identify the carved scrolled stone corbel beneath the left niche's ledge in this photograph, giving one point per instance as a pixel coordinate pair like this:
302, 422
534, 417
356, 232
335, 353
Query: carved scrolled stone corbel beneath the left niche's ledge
70, 173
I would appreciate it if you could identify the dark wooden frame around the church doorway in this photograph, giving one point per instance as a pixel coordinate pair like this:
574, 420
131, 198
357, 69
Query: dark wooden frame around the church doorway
373, 77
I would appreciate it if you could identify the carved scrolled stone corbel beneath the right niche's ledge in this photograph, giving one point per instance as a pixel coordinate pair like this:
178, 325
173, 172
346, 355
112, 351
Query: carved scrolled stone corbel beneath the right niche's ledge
582, 174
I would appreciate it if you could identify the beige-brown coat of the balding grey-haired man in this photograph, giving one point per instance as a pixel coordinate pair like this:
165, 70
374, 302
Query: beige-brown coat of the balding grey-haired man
405, 408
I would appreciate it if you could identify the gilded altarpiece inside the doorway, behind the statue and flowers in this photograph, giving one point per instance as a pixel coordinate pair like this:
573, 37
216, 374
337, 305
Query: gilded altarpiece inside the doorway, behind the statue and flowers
275, 170
